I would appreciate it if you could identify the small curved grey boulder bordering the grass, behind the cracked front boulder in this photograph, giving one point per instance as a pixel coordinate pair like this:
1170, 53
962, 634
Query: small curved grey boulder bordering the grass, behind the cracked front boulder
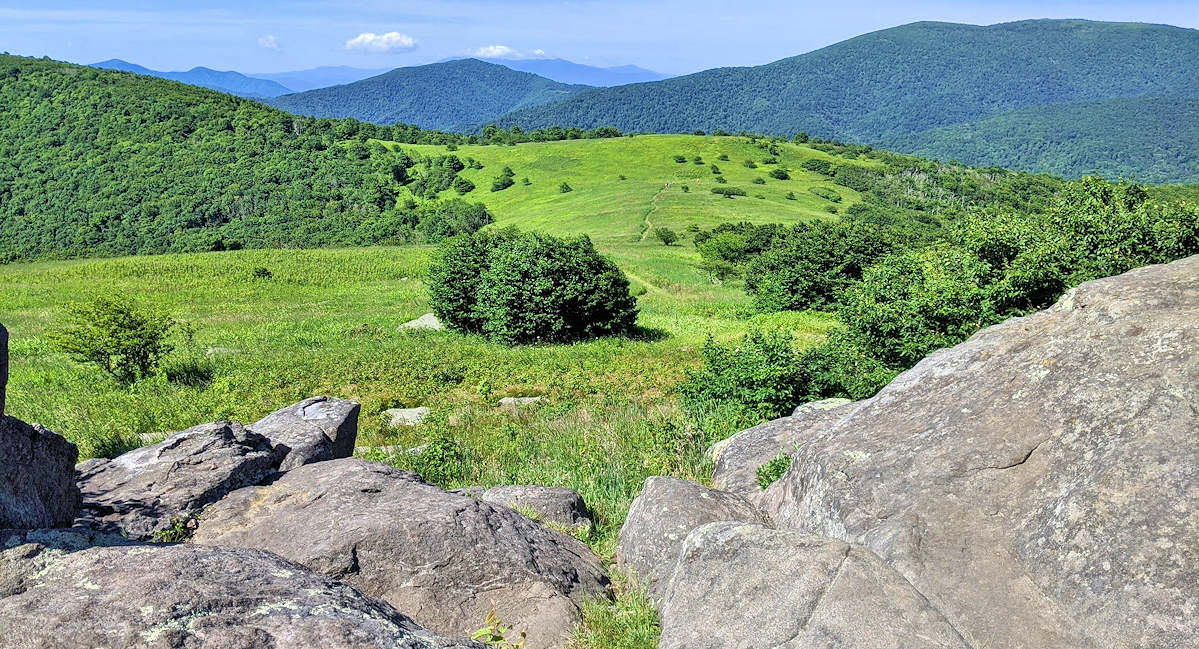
662, 516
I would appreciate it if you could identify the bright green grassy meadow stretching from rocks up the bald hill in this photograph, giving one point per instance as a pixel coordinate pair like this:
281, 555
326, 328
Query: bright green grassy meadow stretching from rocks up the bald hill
326, 323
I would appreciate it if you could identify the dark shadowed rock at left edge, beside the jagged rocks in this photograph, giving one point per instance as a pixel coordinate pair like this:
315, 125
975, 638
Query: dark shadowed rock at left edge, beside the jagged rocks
38, 486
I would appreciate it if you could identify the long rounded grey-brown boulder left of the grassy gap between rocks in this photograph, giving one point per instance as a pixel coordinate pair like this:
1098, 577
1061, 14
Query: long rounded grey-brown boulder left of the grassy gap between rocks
443, 558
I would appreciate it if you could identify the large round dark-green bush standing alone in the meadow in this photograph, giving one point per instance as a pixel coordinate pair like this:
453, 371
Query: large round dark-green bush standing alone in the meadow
519, 289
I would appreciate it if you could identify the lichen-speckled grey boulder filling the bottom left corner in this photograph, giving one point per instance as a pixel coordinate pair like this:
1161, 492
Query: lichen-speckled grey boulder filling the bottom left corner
57, 593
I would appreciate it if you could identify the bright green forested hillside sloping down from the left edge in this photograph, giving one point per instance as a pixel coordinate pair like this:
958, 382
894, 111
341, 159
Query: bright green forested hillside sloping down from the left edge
100, 163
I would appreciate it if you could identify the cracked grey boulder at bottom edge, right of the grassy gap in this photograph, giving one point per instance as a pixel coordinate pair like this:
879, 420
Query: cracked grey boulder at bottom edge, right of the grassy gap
757, 588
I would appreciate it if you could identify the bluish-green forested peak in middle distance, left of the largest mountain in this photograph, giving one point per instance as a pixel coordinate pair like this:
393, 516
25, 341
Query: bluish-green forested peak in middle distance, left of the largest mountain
453, 97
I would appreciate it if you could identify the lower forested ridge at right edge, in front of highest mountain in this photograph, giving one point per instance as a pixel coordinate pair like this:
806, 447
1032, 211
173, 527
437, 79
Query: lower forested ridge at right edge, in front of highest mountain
1148, 139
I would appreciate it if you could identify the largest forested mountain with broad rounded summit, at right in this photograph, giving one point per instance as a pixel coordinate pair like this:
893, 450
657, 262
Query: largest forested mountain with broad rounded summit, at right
914, 79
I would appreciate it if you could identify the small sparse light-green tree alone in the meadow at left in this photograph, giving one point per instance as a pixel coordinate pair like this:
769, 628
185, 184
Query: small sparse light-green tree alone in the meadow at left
118, 335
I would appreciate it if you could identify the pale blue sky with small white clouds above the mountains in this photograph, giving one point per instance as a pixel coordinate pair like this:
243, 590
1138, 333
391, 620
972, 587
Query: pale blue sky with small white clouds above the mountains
674, 37
